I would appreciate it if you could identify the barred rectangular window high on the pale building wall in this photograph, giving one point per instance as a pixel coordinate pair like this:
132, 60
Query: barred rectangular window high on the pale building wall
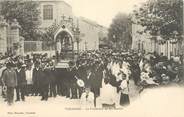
48, 12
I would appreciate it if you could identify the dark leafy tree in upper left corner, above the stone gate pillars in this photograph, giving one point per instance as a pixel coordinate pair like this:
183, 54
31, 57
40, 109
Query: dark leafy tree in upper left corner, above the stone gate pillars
26, 13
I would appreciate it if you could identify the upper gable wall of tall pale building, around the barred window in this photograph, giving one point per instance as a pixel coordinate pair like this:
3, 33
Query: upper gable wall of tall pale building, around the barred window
53, 11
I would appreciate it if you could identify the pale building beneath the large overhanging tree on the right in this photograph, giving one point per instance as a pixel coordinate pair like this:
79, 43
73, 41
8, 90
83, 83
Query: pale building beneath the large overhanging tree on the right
145, 42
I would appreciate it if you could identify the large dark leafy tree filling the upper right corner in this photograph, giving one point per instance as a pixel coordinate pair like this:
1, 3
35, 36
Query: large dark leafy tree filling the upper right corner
161, 17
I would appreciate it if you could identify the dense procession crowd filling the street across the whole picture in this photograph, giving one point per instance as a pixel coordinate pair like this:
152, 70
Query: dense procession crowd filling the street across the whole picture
102, 75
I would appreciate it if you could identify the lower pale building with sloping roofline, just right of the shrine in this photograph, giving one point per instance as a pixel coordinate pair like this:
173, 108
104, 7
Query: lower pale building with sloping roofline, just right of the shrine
92, 33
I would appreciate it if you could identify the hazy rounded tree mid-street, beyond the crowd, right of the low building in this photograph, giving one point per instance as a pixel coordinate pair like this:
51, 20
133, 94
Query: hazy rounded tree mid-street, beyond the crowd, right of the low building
120, 31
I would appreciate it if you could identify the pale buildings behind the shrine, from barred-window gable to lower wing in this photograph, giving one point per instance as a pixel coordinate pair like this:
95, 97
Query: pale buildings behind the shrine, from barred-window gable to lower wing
59, 12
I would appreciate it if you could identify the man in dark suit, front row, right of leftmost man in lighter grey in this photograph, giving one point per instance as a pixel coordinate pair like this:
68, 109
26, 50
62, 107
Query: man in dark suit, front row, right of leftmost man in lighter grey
21, 82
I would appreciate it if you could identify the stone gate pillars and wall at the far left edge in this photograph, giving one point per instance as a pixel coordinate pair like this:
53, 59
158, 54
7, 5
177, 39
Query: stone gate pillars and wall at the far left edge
10, 40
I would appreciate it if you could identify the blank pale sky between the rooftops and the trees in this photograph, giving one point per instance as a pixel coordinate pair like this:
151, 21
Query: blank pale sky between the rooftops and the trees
102, 11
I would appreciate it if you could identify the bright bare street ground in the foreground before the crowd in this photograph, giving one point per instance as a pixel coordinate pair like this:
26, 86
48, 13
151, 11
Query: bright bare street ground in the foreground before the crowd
157, 102
